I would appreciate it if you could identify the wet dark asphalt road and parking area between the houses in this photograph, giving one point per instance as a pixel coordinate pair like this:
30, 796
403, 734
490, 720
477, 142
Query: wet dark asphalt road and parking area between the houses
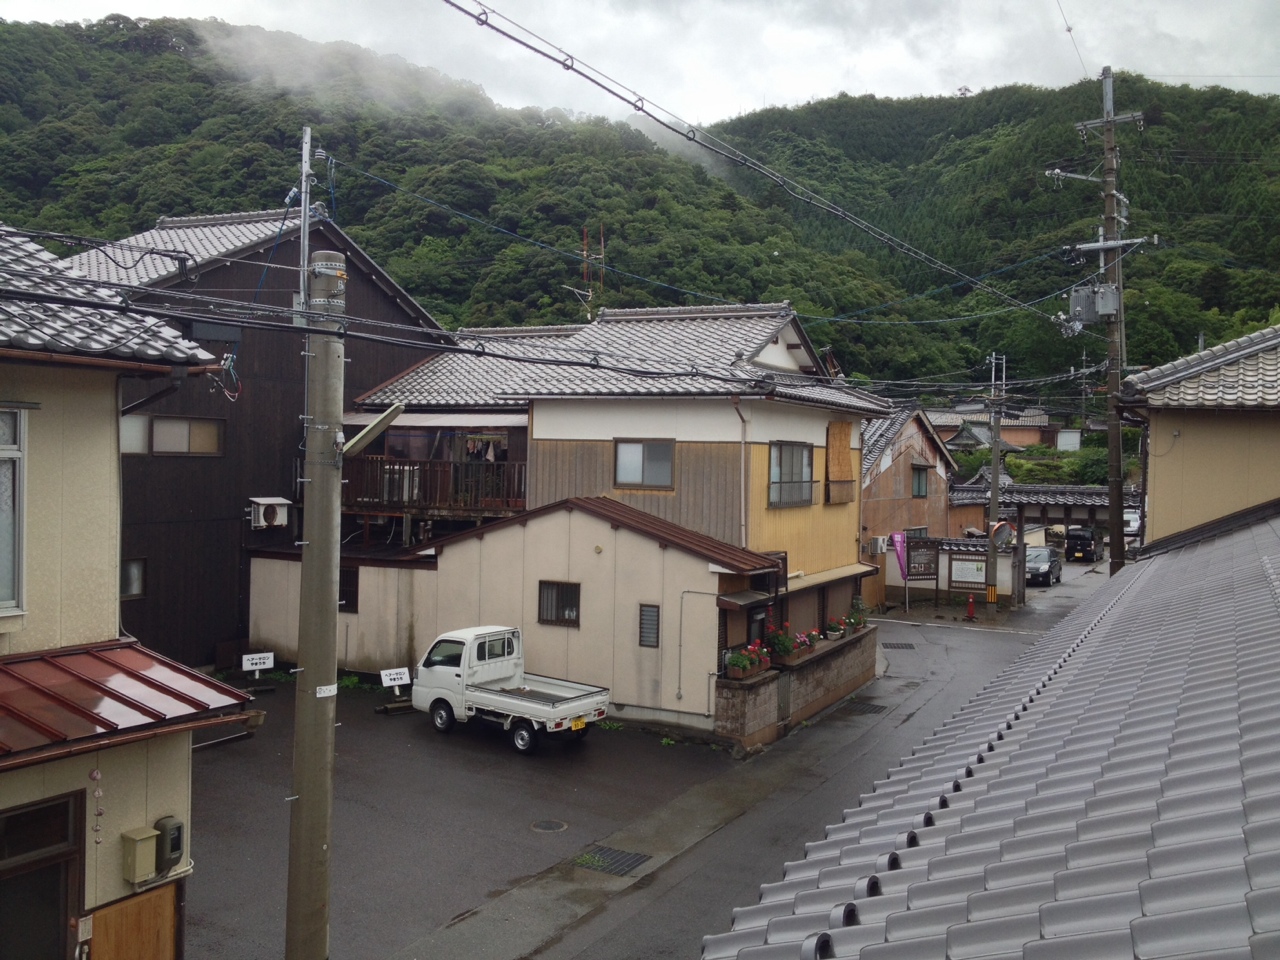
436, 853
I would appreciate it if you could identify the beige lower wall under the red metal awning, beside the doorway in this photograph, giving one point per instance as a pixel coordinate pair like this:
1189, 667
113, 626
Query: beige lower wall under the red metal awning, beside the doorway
141, 783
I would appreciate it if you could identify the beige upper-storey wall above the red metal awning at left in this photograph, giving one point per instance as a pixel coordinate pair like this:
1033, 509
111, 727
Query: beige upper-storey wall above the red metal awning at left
72, 509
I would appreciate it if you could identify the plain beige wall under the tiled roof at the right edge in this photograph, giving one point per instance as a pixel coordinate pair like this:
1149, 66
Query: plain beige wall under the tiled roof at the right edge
1204, 465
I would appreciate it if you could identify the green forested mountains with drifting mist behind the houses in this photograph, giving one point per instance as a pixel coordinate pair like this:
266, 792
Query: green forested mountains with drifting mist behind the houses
481, 212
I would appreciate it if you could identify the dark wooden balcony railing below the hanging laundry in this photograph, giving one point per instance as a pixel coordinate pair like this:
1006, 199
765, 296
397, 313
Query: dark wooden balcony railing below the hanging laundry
432, 487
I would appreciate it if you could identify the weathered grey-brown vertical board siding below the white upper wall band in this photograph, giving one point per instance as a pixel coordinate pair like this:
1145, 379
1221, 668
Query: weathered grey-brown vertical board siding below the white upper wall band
706, 496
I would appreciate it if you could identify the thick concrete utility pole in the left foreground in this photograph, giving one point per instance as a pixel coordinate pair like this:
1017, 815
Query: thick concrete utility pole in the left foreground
312, 816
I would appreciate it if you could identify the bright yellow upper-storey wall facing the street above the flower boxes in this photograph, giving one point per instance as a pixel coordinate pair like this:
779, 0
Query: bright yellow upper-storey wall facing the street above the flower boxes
816, 538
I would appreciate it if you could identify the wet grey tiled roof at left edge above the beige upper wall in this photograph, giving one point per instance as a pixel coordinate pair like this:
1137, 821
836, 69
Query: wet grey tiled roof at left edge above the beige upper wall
48, 328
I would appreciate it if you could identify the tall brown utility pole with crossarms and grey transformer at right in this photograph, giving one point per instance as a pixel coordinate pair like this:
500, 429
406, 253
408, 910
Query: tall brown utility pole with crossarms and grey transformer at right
1109, 301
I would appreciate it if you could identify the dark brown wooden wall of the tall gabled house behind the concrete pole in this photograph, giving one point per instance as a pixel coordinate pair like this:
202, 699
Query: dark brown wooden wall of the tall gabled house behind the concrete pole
186, 516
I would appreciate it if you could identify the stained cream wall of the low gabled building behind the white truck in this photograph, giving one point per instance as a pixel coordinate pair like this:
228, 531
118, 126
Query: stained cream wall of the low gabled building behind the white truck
495, 580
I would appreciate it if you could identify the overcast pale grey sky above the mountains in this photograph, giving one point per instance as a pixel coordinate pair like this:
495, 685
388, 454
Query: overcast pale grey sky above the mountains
706, 61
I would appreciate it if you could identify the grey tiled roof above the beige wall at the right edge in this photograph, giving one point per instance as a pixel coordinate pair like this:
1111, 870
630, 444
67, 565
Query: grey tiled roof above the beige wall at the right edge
1244, 373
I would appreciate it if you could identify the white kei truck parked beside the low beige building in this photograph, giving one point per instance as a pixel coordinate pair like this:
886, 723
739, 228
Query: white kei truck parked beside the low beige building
481, 673
